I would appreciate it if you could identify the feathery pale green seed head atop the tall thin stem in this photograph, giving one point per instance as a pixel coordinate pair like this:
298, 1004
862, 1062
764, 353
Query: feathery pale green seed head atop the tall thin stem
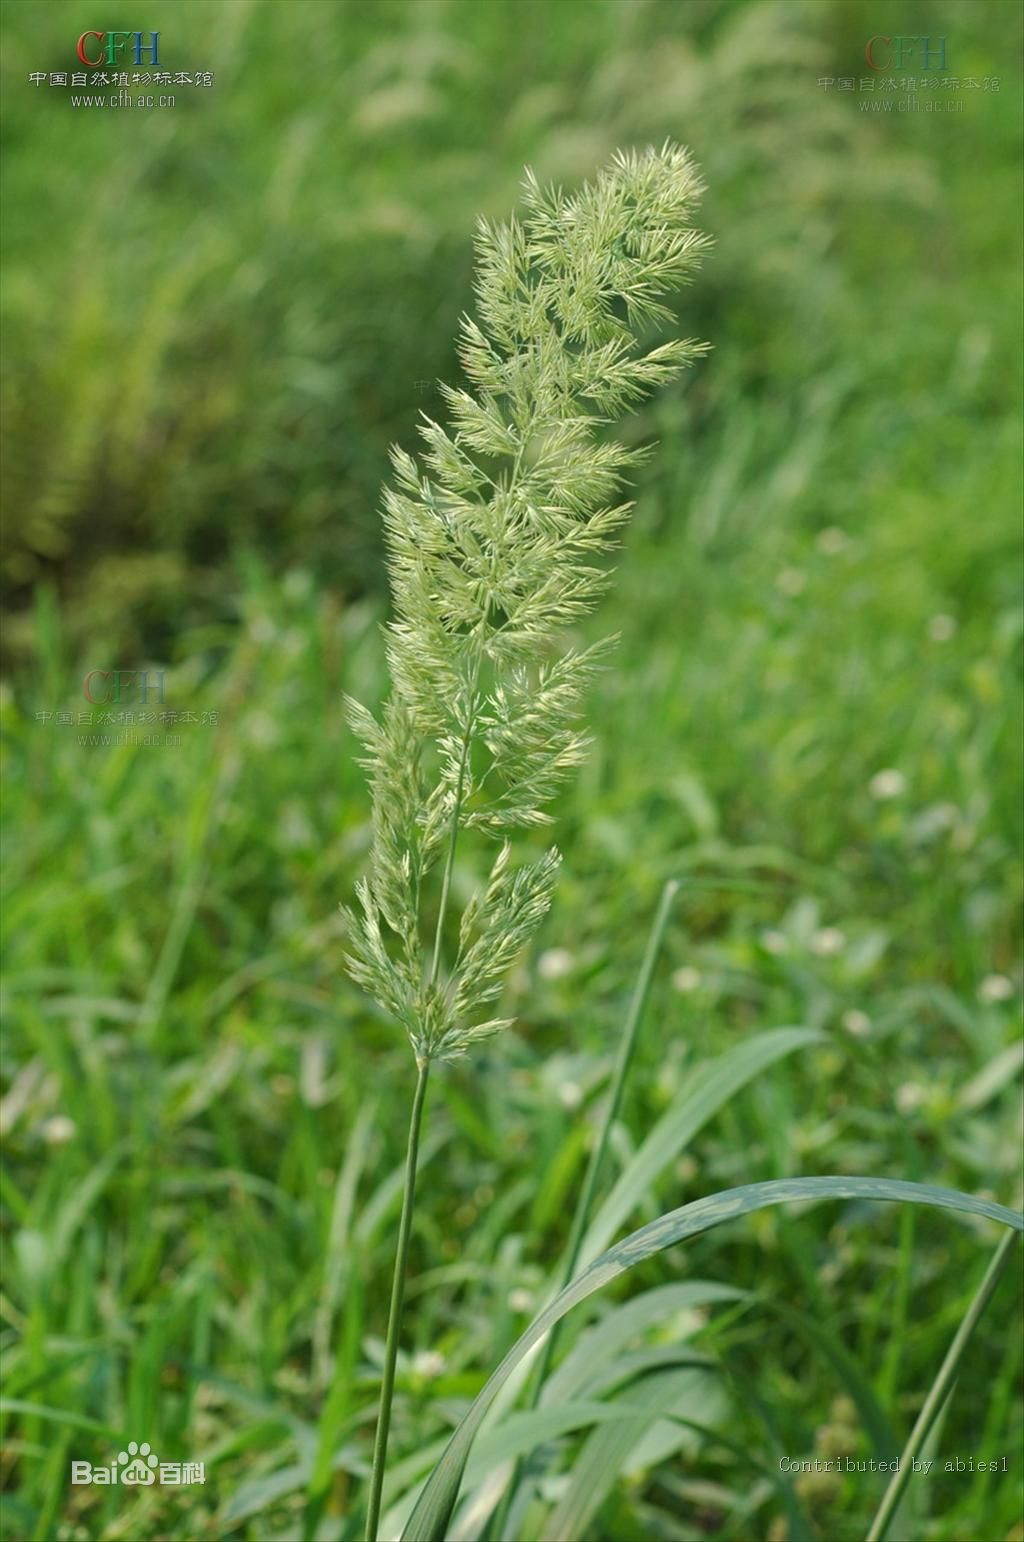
496, 540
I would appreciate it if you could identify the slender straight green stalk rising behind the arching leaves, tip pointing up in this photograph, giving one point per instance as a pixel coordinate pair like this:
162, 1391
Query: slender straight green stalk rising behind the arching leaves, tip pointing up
585, 1205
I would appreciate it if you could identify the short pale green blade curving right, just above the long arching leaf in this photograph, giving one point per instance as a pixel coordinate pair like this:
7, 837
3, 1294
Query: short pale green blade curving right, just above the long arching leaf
709, 1086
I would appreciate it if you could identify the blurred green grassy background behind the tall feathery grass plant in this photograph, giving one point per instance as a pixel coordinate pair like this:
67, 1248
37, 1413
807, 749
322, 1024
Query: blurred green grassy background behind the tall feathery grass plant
217, 318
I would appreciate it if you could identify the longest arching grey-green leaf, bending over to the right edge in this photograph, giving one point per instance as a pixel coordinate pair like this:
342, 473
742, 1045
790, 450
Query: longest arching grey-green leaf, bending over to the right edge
437, 1503
